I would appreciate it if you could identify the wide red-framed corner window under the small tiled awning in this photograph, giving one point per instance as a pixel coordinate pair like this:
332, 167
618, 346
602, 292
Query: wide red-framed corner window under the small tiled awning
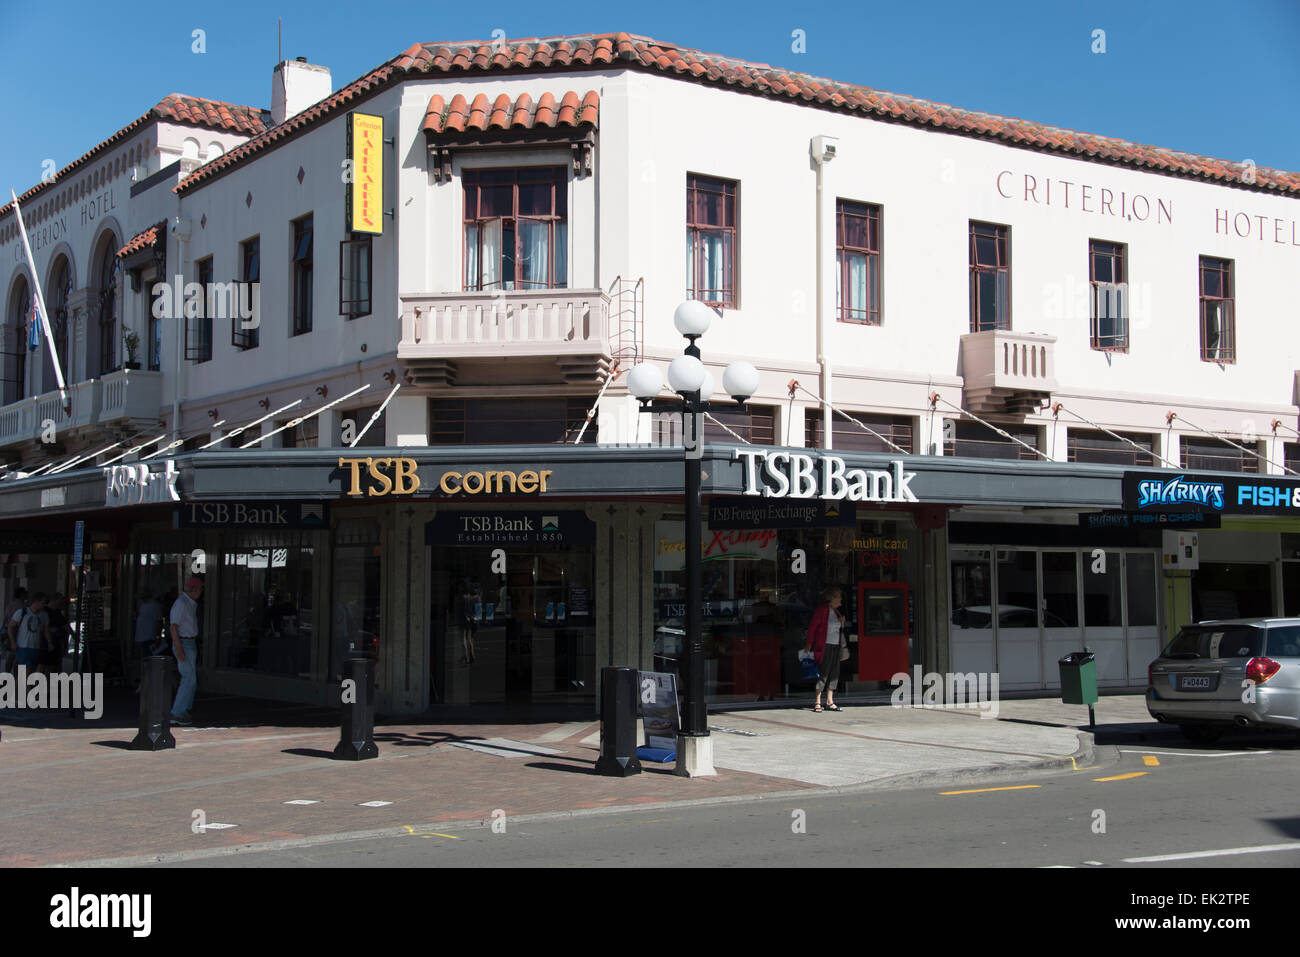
517, 228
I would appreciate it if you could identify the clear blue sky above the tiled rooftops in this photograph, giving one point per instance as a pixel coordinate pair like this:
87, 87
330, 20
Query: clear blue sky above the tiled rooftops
1214, 79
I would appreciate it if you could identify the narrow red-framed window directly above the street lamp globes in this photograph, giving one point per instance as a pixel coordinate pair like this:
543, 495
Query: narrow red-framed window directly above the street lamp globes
712, 241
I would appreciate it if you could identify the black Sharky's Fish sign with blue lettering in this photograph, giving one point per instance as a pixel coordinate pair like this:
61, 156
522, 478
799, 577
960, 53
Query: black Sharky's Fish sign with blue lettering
1146, 492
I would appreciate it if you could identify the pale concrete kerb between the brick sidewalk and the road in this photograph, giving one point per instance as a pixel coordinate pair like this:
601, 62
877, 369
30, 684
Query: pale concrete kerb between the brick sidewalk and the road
1085, 755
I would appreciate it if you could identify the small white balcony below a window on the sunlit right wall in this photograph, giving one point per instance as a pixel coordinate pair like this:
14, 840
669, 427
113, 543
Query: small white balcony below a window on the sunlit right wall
1007, 373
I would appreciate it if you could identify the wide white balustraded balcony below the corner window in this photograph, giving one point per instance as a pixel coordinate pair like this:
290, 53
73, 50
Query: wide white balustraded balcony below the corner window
549, 336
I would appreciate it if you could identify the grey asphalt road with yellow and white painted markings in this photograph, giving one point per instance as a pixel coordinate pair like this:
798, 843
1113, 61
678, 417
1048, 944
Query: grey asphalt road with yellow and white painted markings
1169, 806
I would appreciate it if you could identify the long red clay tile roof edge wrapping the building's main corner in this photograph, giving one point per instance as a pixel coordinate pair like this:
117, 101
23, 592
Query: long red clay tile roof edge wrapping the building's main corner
587, 53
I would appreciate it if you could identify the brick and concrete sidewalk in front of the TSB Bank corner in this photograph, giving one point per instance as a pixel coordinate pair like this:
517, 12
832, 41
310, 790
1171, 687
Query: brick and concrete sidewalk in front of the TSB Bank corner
73, 794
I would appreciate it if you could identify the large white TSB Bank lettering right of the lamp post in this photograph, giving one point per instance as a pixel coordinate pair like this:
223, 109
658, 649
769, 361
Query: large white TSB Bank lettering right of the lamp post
795, 475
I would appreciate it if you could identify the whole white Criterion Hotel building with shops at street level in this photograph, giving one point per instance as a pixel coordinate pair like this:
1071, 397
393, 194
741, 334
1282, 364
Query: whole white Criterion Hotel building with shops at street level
362, 361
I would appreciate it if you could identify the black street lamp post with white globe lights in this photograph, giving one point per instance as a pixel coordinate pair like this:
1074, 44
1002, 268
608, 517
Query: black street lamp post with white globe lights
694, 383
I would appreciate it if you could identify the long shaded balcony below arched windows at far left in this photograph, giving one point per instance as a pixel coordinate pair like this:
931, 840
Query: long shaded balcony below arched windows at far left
120, 402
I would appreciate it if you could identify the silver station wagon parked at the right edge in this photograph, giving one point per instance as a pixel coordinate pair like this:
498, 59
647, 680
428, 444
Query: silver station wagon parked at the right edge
1240, 673
